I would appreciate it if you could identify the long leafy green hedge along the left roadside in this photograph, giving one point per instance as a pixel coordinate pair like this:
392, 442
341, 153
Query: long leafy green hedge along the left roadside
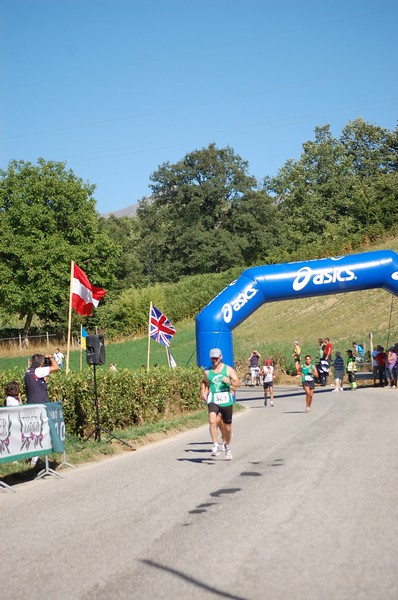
125, 397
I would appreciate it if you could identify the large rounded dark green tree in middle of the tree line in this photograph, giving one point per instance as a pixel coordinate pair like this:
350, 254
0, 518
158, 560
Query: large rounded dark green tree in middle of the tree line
201, 217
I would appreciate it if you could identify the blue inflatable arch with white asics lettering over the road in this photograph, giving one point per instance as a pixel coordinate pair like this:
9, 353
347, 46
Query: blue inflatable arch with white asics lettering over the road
270, 283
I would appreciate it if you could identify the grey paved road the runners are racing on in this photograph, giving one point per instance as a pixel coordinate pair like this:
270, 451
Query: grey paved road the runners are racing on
307, 509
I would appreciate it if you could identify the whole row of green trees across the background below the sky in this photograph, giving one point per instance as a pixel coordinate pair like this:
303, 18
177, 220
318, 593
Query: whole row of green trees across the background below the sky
206, 215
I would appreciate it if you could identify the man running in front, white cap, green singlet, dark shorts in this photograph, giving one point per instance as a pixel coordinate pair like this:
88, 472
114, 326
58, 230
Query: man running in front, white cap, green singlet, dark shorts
217, 389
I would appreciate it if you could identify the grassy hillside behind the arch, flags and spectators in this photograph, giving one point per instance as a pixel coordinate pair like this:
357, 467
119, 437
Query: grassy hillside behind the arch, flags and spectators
343, 318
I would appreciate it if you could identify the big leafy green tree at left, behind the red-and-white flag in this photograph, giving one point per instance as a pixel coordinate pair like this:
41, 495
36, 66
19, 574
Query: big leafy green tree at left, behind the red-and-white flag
47, 219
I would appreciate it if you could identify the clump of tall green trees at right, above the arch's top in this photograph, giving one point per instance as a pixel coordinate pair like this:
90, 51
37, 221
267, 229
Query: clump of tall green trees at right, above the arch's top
331, 196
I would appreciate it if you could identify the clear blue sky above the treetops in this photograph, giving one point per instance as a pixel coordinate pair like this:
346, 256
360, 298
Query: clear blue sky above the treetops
117, 87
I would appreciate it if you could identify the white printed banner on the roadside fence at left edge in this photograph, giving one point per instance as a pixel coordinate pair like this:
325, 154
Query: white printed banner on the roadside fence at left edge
24, 432
